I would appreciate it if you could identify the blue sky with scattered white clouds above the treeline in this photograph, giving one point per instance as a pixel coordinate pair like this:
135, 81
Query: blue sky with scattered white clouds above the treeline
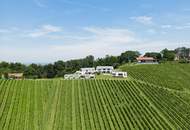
43, 31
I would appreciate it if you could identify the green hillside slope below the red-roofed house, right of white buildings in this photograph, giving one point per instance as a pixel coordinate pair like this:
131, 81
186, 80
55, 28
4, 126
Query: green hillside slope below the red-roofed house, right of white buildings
170, 75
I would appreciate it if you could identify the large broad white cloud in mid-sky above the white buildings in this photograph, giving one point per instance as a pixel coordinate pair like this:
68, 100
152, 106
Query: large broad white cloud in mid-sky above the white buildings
98, 42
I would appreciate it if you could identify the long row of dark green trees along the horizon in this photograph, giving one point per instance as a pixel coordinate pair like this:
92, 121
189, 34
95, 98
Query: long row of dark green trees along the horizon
60, 68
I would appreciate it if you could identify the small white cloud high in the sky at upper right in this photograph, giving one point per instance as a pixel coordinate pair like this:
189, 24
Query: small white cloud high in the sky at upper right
147, 20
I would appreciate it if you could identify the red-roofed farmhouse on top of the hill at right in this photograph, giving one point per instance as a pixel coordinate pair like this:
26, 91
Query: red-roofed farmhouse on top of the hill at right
146, 60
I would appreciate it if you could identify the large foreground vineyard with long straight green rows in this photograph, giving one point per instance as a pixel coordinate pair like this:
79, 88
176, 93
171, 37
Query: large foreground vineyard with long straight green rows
89, 105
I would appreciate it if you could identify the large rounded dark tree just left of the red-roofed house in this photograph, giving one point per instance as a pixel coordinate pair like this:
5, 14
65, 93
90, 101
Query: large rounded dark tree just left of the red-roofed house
128, 56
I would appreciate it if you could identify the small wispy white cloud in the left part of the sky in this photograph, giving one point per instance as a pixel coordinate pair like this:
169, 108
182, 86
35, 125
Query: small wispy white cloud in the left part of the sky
44, 30
